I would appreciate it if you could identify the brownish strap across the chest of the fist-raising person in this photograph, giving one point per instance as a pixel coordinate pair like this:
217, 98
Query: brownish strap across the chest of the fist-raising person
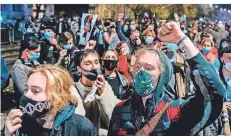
150, 126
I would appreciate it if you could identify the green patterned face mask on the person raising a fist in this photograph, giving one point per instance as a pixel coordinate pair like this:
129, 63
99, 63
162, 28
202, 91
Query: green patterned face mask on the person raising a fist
143, 83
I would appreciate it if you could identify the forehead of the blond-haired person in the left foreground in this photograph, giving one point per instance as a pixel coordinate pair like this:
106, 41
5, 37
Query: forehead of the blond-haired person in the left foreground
37, 79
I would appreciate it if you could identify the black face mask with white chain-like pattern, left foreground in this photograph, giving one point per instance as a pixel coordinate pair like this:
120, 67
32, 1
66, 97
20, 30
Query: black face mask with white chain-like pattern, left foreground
33, 109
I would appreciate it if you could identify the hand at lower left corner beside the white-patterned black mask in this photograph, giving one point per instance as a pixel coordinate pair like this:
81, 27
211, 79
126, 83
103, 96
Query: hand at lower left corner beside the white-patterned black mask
13, 122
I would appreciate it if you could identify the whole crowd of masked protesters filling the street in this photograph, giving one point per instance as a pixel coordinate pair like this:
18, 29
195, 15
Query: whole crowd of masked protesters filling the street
132, 77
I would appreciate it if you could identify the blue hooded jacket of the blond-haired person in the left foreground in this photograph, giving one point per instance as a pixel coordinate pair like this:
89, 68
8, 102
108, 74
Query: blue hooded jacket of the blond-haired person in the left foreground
66, 123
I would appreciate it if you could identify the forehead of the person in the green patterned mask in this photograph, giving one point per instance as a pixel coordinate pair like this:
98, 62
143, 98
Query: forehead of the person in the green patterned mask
148, 58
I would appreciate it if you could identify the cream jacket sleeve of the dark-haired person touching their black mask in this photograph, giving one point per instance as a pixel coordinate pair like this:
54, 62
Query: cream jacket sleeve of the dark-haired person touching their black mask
108, 100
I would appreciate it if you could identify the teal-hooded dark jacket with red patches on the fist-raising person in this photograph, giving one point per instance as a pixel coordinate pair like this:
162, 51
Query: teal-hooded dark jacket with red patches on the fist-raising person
193, 114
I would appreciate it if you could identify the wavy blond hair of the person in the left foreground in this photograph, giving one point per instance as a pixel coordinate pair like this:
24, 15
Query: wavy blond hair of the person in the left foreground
58, 87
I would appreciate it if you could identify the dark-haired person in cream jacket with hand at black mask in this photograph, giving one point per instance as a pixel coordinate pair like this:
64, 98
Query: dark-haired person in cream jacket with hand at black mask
97, 95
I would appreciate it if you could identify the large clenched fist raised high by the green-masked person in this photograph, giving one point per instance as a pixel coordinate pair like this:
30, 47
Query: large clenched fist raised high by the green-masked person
170, 33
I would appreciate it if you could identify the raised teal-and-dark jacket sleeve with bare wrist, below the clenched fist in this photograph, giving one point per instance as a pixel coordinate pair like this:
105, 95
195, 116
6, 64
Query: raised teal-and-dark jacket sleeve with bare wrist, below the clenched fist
201, 110
